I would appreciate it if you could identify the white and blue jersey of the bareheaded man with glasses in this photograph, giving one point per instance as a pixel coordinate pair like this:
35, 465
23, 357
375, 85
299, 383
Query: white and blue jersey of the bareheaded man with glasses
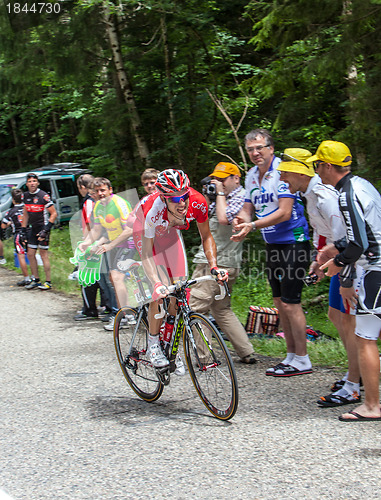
265, 198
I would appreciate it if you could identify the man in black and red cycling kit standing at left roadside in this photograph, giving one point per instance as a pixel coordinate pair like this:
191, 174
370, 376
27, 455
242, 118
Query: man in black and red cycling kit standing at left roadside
38, 218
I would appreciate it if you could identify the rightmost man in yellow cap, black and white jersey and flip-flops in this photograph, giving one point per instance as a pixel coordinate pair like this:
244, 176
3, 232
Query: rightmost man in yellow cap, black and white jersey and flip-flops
360, 206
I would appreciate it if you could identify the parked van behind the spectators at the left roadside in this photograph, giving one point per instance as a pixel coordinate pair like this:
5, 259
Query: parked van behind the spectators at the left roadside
59, 180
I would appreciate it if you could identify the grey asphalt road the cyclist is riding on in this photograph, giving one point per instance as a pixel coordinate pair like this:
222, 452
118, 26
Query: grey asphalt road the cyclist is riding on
71, 428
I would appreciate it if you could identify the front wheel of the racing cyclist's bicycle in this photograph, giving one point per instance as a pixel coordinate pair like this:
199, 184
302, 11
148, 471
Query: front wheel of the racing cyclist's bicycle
210, 367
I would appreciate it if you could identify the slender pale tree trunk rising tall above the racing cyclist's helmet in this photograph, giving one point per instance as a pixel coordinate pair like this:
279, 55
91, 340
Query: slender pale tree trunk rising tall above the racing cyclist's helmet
111, 28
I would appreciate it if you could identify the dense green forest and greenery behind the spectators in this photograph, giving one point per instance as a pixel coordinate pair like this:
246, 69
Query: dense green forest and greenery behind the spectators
124, 85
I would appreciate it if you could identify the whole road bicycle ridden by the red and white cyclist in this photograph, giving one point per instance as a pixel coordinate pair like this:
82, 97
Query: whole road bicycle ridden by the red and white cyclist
208, 359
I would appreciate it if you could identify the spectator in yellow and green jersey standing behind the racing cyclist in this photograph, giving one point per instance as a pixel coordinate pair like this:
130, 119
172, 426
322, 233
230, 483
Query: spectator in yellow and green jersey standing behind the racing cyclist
111, 213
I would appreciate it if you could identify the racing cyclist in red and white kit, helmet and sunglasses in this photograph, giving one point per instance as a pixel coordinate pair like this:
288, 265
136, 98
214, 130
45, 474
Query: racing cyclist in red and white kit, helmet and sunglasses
158, 239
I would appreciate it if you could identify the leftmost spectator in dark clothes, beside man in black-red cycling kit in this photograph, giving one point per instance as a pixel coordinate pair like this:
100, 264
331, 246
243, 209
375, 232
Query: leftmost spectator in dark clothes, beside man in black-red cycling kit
13, 218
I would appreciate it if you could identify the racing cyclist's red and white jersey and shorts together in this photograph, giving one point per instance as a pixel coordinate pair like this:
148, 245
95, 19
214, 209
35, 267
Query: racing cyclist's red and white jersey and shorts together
152, 222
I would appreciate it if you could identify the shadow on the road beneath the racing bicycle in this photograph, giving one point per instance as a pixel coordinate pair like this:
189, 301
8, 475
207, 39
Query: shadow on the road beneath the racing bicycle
132, 411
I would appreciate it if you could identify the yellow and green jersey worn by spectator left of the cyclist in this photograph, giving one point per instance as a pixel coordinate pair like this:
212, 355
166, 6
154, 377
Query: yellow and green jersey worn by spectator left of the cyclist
112, 216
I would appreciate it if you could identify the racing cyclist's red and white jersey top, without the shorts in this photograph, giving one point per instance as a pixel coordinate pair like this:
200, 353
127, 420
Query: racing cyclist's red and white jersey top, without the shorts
156, 215
